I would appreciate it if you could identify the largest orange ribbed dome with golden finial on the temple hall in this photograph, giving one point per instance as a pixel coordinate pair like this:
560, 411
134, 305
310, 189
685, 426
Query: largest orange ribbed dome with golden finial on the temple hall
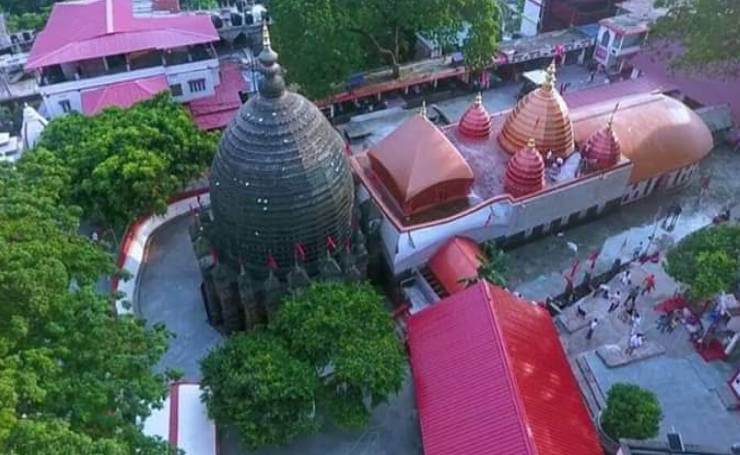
542, 115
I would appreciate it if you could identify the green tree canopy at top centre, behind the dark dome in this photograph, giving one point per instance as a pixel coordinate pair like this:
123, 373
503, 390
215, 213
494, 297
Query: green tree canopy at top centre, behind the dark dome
321, 43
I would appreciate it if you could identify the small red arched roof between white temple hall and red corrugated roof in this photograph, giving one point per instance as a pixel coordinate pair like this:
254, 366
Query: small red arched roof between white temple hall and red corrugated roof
456, 260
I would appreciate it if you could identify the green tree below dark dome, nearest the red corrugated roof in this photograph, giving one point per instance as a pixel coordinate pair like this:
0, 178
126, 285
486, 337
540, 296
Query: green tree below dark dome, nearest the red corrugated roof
345, 334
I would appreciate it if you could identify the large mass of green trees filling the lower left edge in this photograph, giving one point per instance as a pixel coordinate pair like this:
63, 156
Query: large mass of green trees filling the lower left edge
74, 378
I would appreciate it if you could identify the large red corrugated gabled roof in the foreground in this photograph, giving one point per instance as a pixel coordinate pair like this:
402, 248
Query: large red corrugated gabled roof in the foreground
492, 378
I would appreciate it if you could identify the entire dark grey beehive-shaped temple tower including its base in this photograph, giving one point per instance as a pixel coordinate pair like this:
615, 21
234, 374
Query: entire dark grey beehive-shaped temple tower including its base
281, 206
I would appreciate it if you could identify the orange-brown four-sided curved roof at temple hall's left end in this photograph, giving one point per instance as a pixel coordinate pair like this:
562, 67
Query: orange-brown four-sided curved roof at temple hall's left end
417, 156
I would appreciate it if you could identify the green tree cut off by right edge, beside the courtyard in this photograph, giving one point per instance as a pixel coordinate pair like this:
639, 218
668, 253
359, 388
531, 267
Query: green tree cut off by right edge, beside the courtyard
707, 260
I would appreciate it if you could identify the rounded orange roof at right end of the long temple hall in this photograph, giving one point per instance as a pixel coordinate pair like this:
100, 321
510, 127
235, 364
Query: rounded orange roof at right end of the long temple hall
657, 133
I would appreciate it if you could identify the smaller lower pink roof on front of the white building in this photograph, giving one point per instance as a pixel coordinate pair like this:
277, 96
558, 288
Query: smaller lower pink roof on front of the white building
123, 94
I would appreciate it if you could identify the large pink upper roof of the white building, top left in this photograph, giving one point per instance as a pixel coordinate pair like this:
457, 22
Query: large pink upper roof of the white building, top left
80, 30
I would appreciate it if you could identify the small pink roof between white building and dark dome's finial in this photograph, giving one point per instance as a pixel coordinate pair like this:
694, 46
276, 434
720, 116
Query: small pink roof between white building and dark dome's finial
217, 111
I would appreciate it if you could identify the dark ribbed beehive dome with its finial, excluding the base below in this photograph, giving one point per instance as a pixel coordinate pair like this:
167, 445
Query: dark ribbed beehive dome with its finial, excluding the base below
281, 188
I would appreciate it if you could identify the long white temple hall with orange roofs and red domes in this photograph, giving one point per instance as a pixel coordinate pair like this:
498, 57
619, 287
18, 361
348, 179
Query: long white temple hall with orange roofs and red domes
518, 174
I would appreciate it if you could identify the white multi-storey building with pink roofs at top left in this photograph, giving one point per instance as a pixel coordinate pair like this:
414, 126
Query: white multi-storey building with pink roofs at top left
96, 53
